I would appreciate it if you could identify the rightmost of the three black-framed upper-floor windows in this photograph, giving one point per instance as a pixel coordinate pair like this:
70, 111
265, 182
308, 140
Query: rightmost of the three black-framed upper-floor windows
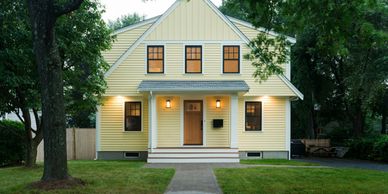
231, 59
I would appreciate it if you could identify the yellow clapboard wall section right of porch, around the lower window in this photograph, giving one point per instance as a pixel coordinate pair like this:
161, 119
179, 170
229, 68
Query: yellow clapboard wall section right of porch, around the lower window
272, 137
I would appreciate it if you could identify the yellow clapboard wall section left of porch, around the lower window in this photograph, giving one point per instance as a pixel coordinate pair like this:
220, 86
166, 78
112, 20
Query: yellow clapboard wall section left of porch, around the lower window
112, 134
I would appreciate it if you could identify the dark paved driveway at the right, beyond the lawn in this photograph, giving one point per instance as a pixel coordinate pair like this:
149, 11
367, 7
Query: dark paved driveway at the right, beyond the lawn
346, 163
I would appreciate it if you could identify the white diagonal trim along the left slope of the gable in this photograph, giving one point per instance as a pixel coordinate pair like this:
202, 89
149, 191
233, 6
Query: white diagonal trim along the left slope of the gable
141, 39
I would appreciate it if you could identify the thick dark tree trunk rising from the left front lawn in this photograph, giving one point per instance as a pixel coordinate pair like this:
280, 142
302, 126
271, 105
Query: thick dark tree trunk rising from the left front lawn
51, 82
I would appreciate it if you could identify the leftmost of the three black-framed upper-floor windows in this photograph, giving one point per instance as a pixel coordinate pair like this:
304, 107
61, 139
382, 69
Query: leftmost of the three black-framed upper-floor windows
155, 59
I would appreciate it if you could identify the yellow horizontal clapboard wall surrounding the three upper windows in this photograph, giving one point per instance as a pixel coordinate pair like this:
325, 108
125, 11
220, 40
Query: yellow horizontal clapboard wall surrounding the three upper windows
125, 79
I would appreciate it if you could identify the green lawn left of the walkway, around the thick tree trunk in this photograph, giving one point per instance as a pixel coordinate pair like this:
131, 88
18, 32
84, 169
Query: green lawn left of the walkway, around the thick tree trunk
100, 177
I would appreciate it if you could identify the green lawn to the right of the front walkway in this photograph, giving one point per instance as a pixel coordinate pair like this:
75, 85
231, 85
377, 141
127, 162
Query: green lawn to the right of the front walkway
301, 180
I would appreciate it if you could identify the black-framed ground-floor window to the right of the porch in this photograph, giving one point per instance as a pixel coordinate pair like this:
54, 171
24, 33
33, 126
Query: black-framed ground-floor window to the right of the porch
253, 116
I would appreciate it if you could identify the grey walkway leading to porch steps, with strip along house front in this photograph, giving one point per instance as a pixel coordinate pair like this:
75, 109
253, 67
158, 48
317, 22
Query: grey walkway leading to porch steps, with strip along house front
200, 178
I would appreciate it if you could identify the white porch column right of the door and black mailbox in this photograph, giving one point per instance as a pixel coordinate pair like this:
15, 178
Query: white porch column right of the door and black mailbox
233, 121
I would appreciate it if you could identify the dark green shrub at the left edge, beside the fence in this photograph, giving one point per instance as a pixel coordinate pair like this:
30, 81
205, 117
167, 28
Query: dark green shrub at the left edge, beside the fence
12, 143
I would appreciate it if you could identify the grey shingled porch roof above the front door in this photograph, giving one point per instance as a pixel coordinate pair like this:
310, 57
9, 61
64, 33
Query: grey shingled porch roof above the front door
193, 85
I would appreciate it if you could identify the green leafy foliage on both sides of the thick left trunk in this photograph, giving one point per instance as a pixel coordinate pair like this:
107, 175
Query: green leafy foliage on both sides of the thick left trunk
81, 36
